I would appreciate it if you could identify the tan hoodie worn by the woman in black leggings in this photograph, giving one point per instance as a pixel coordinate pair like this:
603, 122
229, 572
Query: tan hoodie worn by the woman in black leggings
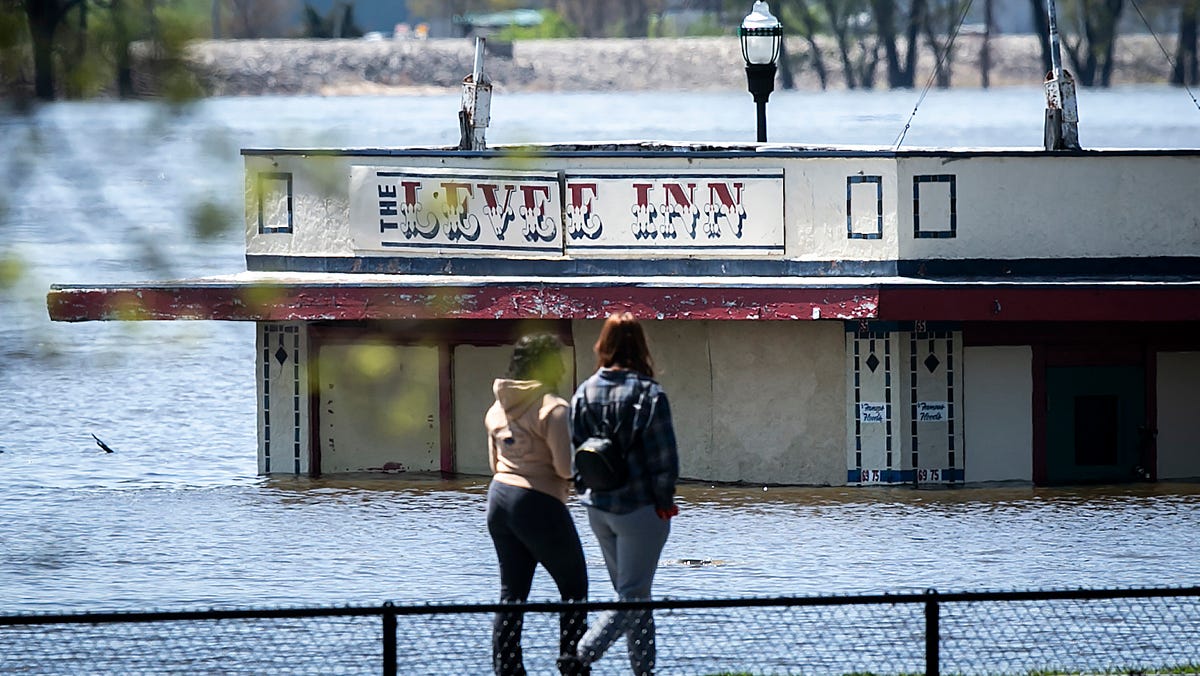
529, 438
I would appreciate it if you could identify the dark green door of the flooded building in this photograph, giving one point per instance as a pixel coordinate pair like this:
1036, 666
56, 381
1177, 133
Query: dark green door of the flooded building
1095, 422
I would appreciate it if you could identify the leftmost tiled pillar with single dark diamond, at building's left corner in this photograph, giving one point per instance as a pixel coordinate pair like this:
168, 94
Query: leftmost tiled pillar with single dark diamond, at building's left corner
283, 378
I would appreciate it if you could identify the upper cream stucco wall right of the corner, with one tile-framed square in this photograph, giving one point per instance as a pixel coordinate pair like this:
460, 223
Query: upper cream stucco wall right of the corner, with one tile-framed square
1039, 207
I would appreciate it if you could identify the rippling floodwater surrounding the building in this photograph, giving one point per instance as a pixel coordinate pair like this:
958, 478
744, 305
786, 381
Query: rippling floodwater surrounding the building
177, 517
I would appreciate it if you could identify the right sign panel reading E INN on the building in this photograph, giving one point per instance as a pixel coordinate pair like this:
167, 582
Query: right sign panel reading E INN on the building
687, 213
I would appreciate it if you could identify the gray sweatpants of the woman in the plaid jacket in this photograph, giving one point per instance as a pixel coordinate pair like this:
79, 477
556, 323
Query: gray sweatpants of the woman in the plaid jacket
632, 545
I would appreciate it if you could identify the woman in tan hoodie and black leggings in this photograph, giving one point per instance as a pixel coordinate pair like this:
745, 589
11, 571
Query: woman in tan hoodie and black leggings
530, 452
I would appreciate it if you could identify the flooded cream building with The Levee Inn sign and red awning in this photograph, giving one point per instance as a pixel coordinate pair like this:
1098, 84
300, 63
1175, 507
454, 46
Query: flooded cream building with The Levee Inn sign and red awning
818, 315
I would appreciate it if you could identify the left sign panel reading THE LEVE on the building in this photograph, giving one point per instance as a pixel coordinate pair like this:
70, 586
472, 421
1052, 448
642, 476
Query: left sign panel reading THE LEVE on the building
457, 211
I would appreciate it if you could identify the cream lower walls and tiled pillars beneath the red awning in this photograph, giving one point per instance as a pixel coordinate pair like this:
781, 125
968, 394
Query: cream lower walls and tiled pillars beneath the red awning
776, 403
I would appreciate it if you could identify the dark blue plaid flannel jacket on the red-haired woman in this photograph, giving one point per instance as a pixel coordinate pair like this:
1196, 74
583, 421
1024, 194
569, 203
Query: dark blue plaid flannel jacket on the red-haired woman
644, 429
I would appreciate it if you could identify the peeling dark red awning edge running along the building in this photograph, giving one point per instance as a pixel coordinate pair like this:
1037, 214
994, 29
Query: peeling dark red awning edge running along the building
886, 302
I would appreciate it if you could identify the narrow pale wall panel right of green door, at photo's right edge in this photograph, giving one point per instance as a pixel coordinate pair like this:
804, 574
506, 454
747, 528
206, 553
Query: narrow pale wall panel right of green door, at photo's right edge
1179, 415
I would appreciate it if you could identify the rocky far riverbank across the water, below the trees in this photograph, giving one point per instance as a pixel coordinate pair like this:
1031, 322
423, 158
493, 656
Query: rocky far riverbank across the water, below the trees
334, 68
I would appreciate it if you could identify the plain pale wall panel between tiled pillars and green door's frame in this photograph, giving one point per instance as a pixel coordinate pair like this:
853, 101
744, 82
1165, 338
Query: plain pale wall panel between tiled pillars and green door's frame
999, 414
